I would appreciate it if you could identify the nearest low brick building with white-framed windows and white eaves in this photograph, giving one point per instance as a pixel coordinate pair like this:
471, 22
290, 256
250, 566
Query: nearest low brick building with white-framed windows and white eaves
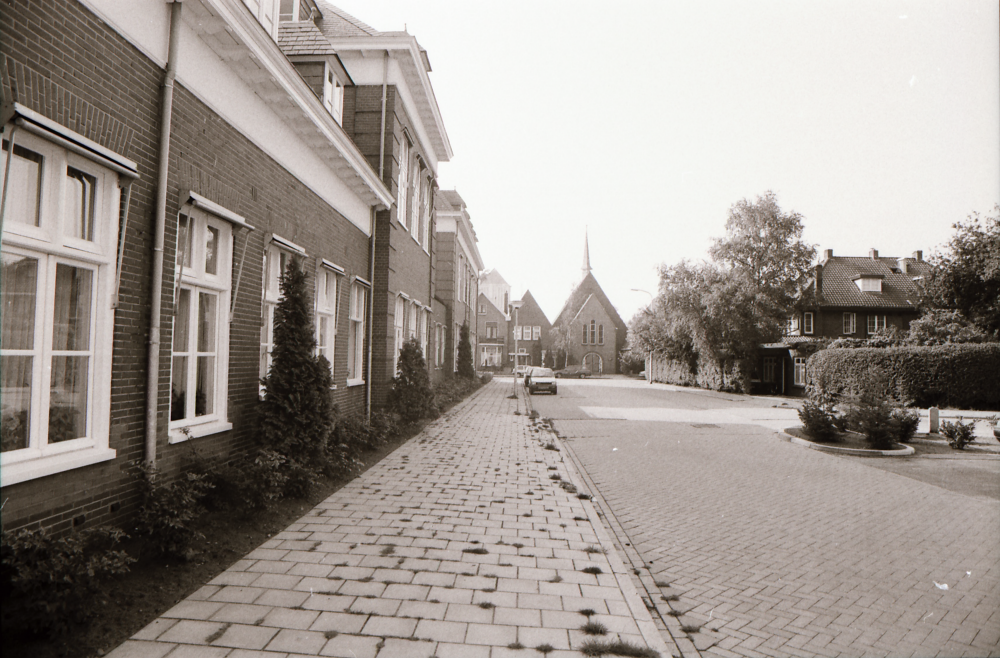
257, 169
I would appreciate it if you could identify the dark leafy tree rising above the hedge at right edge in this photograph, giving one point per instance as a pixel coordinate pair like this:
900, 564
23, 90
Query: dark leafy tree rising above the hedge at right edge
966, 275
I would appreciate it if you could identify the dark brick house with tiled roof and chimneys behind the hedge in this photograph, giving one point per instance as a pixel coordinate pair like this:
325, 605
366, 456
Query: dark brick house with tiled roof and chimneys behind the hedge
846, 297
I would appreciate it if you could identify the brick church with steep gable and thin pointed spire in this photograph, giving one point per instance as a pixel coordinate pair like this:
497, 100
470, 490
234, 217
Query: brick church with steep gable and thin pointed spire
589, 328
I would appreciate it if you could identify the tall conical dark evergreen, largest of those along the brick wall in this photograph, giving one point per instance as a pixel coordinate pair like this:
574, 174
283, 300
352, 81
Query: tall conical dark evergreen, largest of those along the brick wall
297, 414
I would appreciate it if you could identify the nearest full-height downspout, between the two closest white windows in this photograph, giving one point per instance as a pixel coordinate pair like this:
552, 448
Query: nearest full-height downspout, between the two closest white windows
159, 230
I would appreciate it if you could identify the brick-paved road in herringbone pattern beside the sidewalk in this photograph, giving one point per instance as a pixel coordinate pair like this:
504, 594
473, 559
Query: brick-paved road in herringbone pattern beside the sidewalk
786, 551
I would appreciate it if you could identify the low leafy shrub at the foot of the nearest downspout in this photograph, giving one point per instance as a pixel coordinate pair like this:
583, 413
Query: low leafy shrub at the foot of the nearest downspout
167, 510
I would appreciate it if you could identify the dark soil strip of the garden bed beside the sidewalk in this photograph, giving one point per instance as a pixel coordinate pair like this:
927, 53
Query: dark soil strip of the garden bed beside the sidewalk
155, 584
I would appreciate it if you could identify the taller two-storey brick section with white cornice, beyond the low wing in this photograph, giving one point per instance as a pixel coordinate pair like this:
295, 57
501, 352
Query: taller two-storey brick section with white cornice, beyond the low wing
391, 113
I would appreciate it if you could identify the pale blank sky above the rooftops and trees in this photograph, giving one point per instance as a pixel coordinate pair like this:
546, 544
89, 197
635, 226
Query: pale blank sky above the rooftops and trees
879, 122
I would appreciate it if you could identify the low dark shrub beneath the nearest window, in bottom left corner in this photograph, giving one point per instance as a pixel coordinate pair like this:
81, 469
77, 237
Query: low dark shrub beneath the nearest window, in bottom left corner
48, 582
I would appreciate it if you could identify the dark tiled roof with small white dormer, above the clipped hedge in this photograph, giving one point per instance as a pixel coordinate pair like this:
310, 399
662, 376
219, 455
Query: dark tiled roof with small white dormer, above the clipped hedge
837, 276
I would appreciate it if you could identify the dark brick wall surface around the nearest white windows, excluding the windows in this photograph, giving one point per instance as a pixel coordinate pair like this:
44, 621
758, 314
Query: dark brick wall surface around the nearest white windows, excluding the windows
109, 91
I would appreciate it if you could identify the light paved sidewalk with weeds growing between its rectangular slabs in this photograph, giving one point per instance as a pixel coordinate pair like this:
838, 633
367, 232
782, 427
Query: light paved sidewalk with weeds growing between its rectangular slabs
468, 541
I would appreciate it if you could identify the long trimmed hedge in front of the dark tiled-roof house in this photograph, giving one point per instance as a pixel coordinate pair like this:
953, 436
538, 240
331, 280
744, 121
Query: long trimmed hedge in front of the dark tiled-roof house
965, 376
